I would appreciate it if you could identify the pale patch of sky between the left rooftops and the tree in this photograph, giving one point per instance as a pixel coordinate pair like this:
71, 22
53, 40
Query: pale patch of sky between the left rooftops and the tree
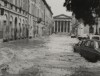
57, 7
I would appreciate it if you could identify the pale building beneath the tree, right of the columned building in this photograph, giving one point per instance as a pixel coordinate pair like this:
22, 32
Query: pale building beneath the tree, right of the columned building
79, 29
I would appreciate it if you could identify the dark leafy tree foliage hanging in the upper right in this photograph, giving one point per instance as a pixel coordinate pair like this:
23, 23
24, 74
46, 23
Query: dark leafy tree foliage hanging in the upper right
84, 9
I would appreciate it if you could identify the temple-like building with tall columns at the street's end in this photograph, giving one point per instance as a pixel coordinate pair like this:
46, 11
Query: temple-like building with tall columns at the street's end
62, 23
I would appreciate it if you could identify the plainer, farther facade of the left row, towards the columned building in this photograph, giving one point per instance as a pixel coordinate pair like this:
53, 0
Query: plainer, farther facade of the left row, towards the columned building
39, 9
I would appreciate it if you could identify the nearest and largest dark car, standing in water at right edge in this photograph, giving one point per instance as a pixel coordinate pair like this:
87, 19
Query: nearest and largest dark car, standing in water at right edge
90, 50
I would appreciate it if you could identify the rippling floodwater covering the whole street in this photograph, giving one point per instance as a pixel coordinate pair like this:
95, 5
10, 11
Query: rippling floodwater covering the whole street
48, 56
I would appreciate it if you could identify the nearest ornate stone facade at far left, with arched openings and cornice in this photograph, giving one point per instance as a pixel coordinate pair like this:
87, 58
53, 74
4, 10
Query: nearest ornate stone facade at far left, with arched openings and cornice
14, 17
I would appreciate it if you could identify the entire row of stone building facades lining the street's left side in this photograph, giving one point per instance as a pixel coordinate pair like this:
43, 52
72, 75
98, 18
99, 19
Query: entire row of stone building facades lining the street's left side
18, 18
